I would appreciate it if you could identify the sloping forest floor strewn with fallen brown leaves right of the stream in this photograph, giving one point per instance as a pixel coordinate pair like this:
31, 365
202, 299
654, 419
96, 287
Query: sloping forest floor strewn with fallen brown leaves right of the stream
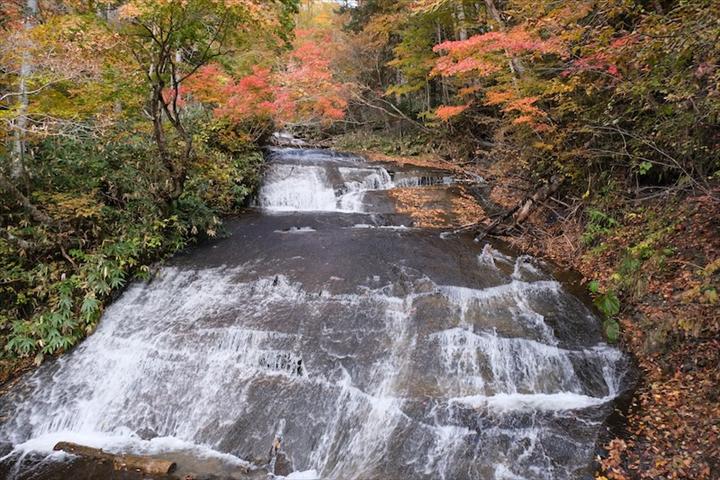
662, 257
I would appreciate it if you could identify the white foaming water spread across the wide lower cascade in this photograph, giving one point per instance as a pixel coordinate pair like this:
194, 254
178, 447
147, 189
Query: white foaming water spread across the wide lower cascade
193, 352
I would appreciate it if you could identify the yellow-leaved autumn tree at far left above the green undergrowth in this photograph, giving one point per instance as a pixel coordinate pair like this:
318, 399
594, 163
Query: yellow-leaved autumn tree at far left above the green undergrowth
46, 62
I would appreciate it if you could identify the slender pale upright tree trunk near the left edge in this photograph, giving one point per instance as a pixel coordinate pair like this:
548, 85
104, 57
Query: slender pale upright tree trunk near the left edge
17, 167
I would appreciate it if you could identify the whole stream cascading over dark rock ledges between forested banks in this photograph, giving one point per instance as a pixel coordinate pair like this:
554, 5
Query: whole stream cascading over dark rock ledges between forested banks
326, 335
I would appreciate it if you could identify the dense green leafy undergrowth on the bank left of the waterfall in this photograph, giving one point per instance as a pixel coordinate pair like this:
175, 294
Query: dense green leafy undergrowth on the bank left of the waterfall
108, 228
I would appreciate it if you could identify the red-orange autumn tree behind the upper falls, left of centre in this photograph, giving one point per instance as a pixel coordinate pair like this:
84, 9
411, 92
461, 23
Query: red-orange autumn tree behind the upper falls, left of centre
300, 87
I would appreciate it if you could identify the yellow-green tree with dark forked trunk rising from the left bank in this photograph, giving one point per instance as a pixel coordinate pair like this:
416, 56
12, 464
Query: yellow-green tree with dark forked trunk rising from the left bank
172, 40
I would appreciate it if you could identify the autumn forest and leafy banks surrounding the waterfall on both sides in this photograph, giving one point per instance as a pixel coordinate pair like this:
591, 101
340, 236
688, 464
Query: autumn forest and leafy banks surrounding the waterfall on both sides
130, 128
